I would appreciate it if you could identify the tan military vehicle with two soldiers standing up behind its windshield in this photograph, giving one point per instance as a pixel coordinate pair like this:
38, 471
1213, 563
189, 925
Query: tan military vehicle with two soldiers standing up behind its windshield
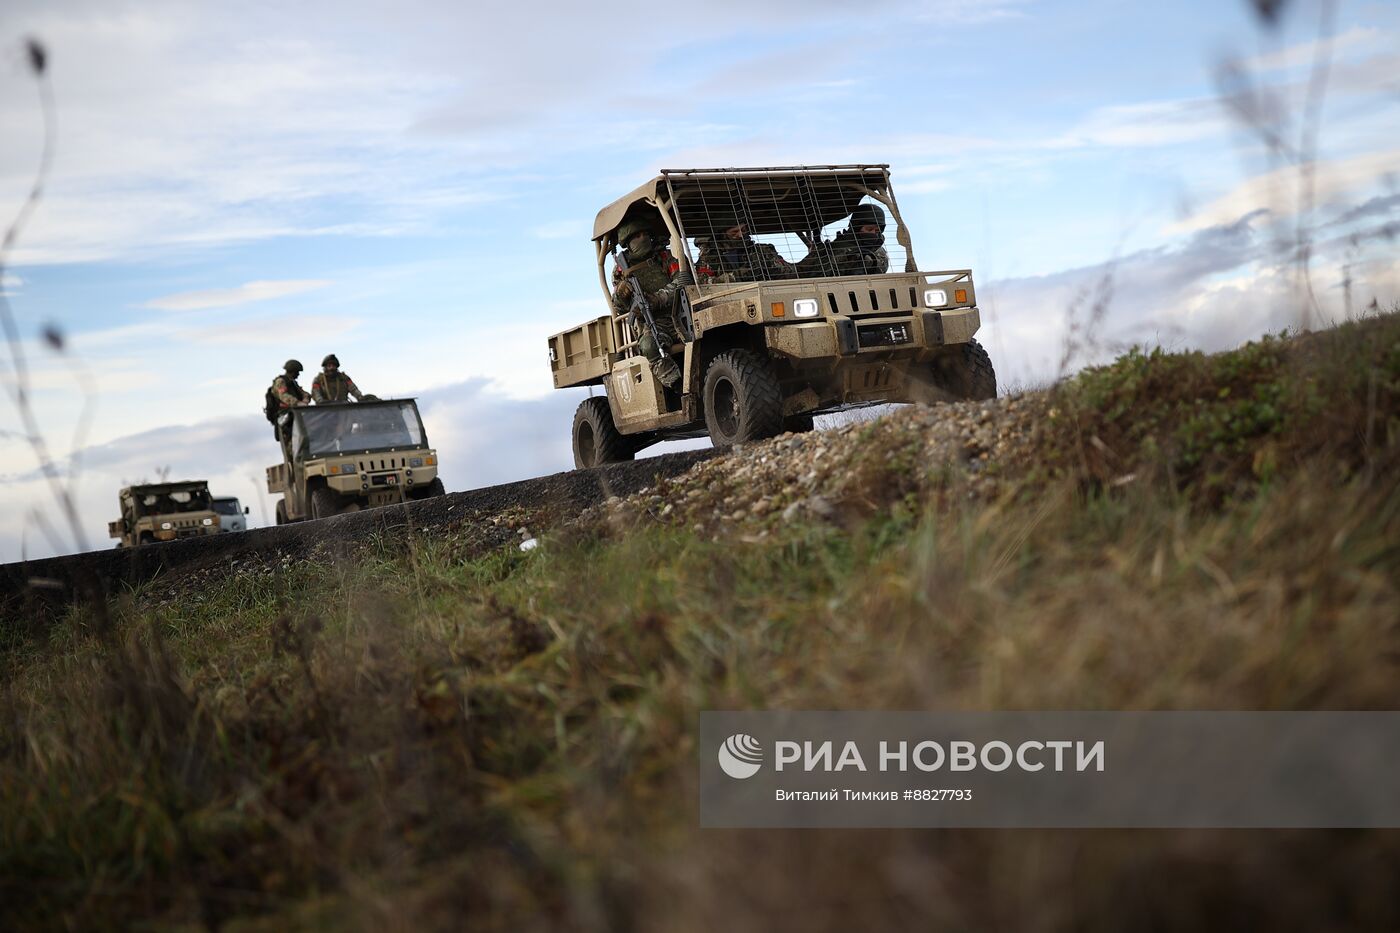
351, 456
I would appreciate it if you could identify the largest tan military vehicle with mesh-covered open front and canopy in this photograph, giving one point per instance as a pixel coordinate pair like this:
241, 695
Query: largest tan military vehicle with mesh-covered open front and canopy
794, 331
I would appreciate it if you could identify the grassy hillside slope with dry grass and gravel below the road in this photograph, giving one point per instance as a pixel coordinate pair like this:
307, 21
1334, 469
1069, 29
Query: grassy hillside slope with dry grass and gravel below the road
419, 733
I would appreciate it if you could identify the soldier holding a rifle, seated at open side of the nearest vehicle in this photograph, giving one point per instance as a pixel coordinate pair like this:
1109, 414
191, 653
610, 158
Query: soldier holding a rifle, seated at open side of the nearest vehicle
660, 277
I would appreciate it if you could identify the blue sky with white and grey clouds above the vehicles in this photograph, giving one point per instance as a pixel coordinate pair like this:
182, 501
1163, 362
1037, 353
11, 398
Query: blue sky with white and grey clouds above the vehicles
414, 190
